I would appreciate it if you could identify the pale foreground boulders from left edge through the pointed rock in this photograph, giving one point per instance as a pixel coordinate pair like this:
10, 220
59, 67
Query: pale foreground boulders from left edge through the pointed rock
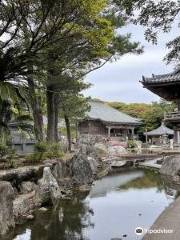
16, 207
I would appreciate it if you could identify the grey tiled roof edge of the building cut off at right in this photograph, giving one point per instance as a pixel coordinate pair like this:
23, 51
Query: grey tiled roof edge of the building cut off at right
165, 78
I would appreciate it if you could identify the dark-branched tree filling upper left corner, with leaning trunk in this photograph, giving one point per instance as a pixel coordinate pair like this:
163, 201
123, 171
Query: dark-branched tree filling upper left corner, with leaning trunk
27, 29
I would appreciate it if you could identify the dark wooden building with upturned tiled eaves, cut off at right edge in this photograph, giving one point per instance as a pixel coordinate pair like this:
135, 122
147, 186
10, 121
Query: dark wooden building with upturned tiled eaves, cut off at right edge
167, 86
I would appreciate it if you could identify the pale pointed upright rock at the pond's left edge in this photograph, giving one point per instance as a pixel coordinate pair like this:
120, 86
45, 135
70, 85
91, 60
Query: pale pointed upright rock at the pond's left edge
48, 188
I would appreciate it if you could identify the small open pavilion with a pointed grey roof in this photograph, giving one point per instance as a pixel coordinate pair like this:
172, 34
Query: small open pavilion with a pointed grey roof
160, 135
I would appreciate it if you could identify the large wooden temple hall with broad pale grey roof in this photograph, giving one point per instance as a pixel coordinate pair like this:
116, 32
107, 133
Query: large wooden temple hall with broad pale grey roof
104, 120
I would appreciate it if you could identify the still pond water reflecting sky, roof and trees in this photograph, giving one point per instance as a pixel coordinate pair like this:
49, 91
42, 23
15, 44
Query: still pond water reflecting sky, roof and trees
115, 206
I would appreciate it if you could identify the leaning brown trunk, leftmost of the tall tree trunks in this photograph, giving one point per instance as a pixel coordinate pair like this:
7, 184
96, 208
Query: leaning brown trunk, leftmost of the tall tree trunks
37, 111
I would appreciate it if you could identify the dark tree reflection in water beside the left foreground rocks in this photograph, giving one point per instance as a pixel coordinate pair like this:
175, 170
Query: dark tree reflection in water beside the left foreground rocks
65, 222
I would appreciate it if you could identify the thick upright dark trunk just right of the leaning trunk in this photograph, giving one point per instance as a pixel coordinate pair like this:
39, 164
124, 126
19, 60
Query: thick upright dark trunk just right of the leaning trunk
50, 115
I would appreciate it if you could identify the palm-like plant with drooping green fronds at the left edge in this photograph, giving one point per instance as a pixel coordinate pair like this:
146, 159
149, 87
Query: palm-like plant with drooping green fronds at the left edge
13, 107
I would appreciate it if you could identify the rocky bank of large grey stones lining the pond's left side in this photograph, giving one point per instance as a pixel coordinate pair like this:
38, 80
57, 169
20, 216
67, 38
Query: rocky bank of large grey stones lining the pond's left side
24, 189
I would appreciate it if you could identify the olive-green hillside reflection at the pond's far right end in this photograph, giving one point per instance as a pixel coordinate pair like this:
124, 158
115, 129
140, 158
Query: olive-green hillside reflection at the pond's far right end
149, 180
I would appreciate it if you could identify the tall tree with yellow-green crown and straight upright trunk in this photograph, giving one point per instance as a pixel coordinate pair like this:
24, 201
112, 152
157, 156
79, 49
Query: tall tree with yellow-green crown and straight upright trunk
91, 43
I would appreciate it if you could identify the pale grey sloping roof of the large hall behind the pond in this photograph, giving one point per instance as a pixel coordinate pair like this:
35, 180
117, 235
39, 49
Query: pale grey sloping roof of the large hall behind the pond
102, 111
